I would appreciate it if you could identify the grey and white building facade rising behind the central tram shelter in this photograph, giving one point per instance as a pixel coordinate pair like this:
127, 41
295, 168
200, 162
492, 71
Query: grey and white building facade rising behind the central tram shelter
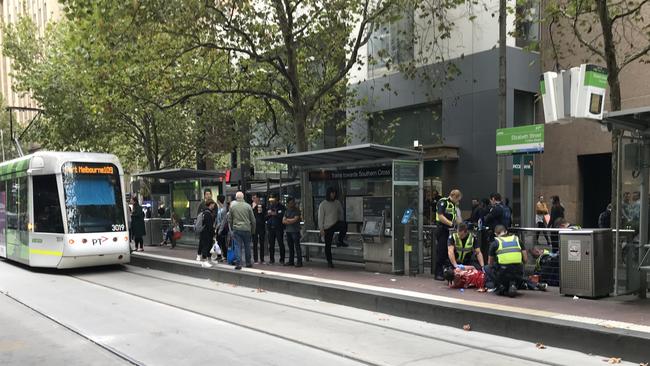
451, 105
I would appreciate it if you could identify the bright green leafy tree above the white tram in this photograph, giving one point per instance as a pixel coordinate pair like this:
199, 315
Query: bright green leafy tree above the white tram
90, 105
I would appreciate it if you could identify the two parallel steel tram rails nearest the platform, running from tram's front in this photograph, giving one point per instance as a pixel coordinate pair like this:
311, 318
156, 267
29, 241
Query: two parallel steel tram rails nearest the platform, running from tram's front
299, 308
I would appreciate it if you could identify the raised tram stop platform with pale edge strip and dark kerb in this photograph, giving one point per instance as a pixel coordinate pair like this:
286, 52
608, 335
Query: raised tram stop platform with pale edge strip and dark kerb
613, 326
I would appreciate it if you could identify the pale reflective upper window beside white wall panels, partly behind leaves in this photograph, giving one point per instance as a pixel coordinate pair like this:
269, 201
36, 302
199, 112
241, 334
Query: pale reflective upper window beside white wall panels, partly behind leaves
392, 43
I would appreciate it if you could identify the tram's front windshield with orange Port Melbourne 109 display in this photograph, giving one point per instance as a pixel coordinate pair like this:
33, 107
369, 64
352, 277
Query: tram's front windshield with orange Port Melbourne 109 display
93, 198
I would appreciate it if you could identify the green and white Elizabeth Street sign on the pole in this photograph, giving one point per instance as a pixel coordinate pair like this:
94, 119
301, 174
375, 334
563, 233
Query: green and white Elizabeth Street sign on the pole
520, 140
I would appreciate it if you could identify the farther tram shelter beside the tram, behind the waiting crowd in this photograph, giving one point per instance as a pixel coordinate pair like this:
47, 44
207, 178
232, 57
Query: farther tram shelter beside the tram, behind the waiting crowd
180, 192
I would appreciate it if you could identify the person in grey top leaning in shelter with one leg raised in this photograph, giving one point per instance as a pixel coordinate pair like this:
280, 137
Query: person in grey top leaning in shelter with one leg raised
330, 220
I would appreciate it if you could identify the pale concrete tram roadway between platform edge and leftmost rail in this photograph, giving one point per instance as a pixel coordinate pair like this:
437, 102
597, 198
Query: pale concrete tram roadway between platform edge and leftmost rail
148, 317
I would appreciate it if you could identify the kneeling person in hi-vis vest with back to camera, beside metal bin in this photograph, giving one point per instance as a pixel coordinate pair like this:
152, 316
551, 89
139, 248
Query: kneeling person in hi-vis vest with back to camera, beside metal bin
506, 259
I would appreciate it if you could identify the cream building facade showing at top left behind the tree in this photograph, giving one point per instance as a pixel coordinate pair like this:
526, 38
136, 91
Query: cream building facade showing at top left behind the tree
42, 12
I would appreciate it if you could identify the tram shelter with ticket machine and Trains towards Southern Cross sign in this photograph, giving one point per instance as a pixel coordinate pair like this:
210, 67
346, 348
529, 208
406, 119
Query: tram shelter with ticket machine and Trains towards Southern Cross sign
381, 190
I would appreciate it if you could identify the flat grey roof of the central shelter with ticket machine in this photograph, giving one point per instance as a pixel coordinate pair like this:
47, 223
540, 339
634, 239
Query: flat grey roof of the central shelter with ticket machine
344, 156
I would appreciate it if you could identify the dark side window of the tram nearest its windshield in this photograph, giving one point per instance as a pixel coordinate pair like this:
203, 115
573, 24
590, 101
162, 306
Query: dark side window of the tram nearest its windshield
47, 206
